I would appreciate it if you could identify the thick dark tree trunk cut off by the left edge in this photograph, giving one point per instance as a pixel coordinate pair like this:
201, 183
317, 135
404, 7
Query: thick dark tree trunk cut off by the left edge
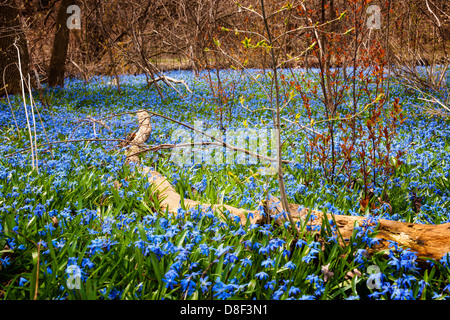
11, 32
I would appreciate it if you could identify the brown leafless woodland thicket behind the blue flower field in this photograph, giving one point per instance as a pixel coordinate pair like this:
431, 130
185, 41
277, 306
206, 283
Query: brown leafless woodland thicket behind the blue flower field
120, 37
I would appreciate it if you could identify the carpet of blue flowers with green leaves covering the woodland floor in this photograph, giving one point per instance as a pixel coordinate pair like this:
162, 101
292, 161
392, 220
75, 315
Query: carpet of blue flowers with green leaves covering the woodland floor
70, 223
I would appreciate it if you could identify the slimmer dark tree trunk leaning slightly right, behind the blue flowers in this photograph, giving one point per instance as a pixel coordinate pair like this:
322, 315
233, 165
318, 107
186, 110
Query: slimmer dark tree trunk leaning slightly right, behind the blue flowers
60, 46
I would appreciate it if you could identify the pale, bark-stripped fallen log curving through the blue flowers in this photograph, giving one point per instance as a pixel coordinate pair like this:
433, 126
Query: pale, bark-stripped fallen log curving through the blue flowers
428, 241
